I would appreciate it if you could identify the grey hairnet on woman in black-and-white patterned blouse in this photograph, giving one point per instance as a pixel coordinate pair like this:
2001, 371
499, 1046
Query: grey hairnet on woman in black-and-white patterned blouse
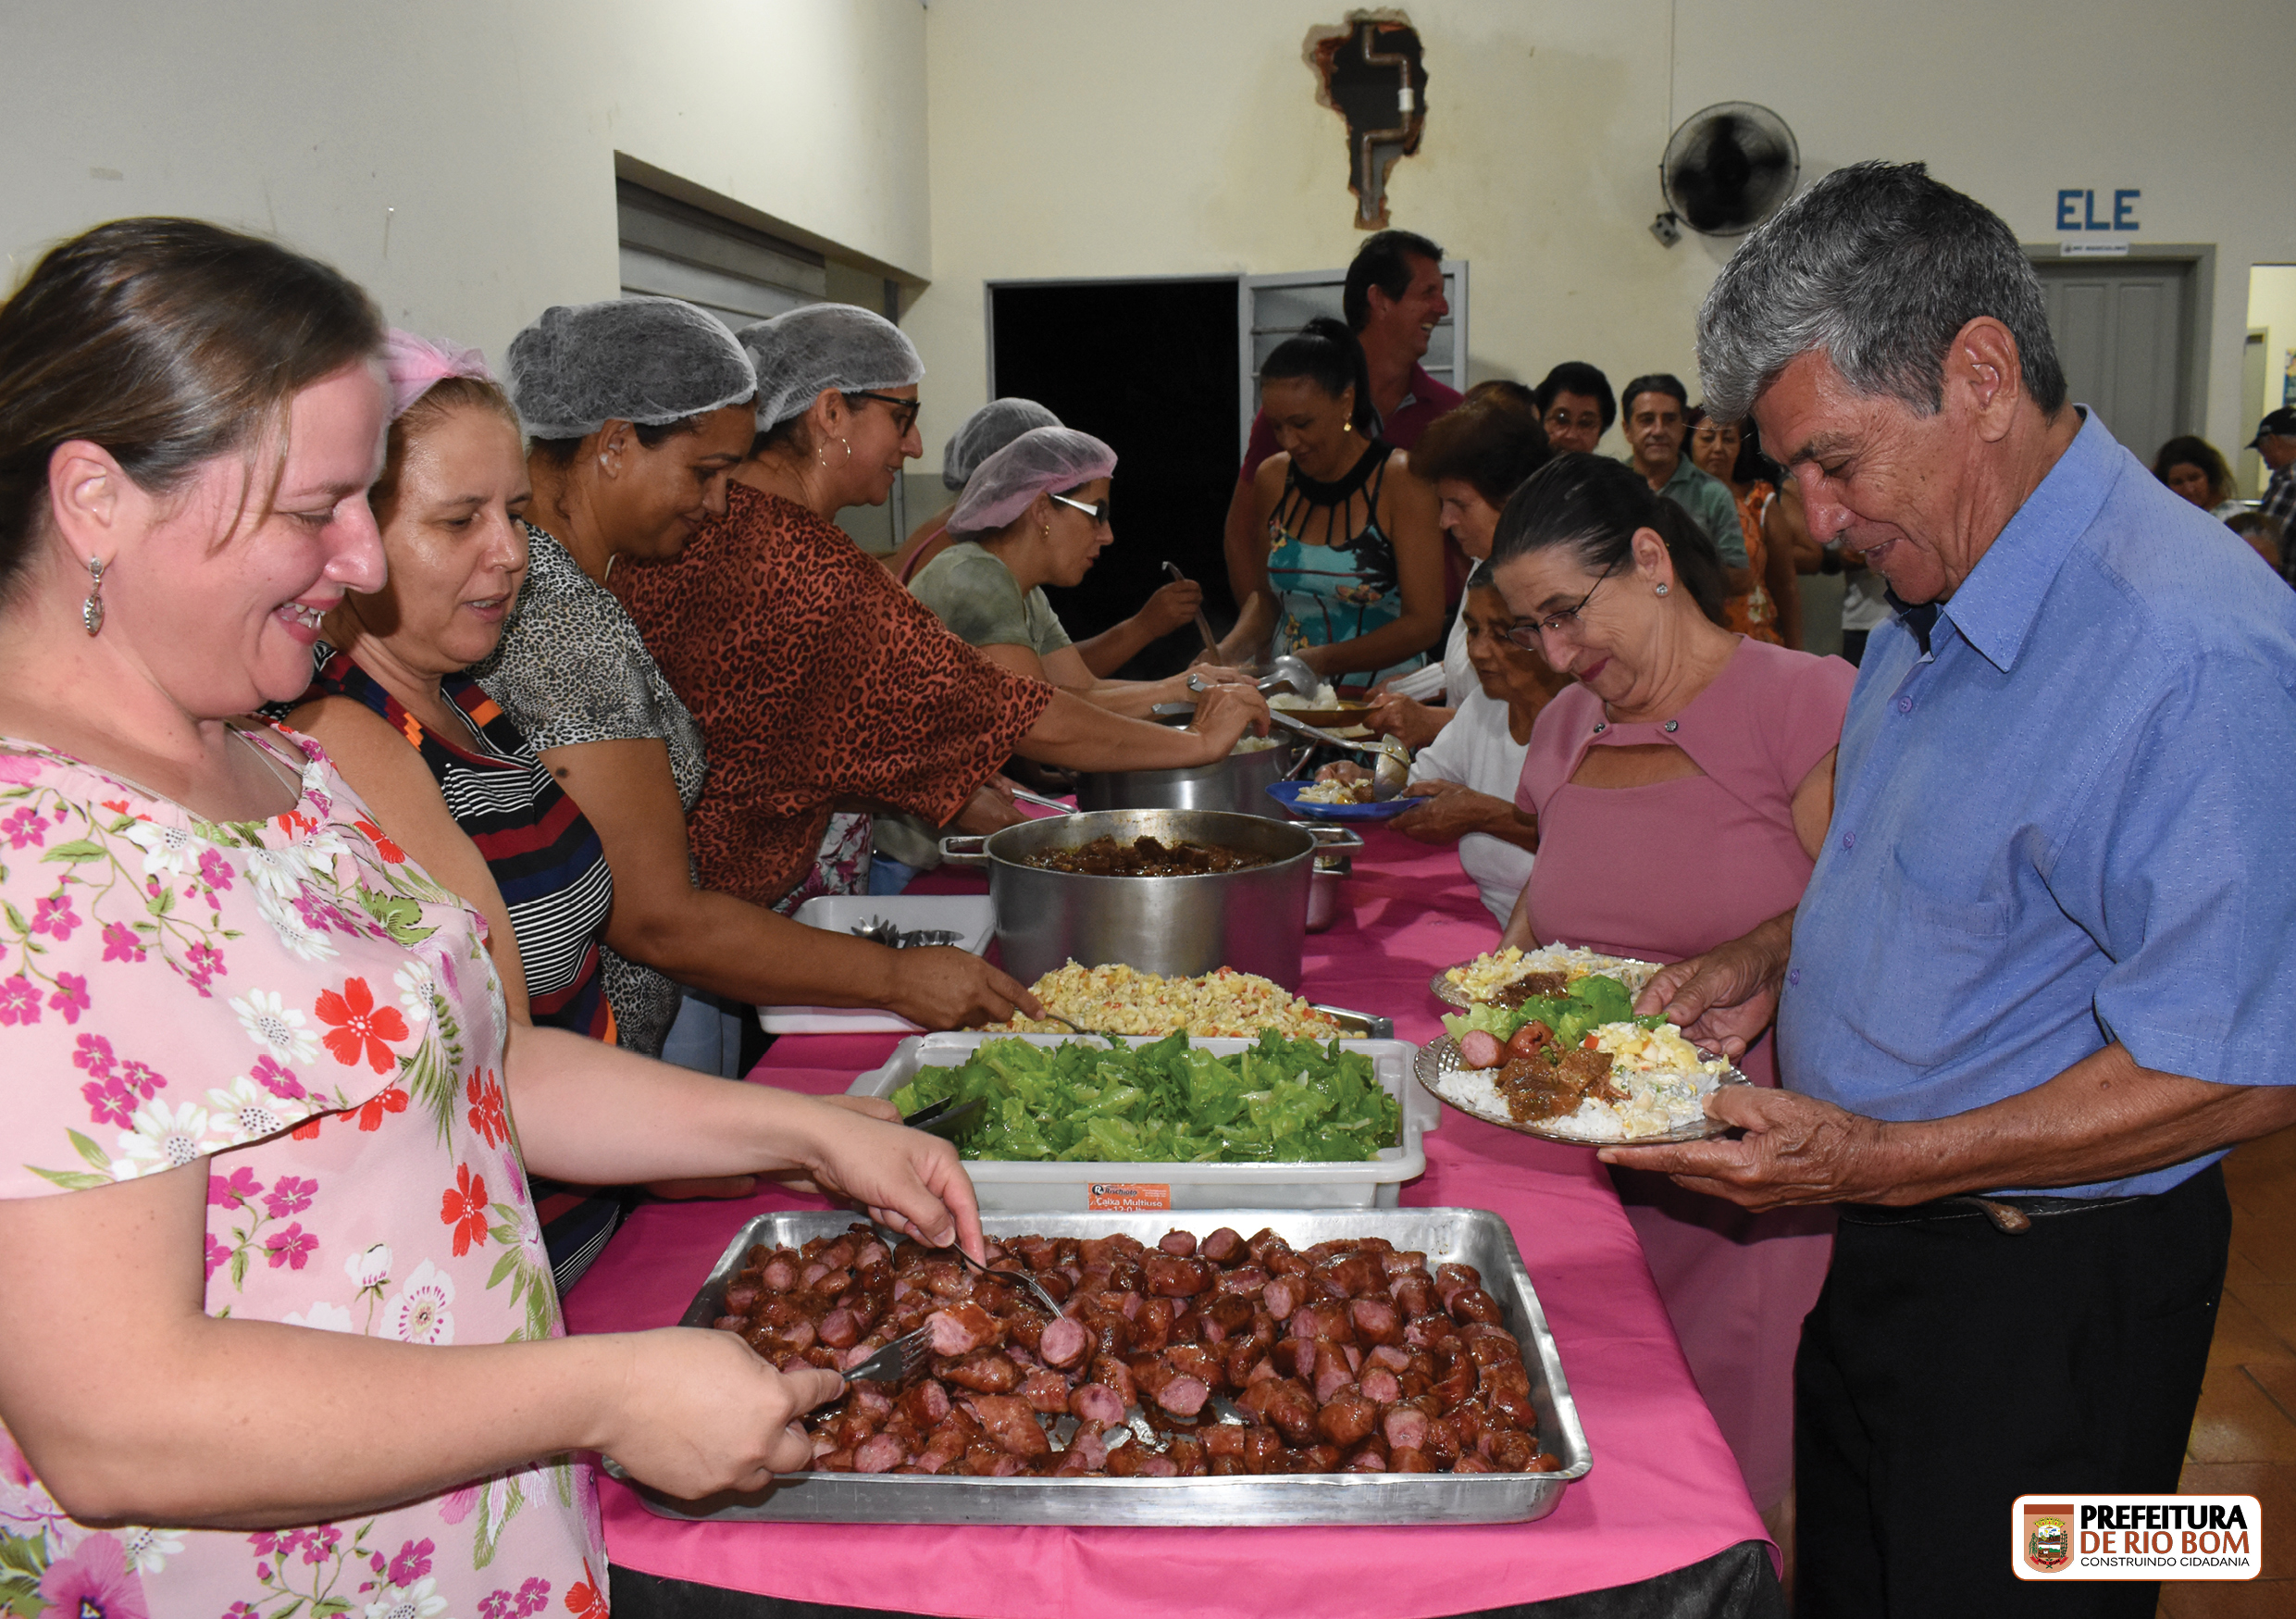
649, 362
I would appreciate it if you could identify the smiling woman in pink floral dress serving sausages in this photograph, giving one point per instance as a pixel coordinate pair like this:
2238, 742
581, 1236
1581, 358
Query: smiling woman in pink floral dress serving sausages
270, 1278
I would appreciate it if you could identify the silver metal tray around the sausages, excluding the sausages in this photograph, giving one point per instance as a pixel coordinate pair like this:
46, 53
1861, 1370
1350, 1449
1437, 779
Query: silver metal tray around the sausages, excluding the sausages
1388, 1498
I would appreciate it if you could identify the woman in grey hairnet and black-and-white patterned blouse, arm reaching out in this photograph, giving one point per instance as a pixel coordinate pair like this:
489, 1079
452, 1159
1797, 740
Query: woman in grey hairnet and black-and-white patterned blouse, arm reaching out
635, 412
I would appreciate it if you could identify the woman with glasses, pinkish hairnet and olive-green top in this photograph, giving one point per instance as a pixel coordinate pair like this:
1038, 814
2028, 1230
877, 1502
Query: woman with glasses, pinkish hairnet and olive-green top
1037, 516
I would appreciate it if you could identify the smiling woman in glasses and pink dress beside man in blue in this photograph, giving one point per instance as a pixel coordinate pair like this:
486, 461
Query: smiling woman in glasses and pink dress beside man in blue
1682, 791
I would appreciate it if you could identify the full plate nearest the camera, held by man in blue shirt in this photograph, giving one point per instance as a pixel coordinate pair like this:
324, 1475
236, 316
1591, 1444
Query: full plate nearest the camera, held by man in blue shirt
1650, 1092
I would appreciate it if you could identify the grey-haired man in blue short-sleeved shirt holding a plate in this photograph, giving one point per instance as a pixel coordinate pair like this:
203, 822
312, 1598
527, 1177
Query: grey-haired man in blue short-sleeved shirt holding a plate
2038, 984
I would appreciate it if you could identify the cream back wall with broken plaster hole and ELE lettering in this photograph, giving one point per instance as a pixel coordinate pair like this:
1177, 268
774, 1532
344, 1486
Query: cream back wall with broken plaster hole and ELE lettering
1184, 139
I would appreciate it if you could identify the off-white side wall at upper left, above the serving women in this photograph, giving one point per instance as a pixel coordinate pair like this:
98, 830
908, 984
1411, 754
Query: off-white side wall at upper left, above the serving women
458, 155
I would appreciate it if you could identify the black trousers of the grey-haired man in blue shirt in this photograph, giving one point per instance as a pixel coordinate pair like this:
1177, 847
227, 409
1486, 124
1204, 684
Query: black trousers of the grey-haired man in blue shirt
1950, 1368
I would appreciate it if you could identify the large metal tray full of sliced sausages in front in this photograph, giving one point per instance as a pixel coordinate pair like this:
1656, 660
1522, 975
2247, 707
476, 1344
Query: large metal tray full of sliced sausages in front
1328, 1368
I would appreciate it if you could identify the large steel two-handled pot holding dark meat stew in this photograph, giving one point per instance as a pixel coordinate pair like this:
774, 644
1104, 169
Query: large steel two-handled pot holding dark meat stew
1250, 920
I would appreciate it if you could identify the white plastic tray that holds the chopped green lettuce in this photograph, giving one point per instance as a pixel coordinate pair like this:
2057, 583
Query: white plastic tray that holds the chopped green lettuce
1073, 1188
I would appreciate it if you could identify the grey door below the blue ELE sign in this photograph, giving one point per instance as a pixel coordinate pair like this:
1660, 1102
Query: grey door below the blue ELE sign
2123, 336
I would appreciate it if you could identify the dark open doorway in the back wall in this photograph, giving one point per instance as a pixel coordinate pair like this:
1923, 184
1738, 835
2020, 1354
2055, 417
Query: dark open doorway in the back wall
1149, 366
